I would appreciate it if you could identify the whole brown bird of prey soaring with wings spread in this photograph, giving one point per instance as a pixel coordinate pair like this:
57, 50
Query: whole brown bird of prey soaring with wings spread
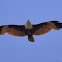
29, 29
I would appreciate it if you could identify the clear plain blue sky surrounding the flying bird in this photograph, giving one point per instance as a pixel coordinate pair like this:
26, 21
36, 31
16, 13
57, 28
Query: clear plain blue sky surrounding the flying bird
47, 47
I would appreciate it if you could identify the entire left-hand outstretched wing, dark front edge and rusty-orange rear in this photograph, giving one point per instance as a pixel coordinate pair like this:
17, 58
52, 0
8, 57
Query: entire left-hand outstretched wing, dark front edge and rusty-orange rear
15, 30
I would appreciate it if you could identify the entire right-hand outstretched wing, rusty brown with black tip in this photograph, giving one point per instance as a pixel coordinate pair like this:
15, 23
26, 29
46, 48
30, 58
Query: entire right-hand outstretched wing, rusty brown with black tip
45, 27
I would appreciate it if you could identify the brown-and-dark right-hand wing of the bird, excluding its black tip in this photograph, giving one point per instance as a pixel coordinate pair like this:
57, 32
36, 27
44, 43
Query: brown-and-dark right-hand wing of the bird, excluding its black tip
43, 28
